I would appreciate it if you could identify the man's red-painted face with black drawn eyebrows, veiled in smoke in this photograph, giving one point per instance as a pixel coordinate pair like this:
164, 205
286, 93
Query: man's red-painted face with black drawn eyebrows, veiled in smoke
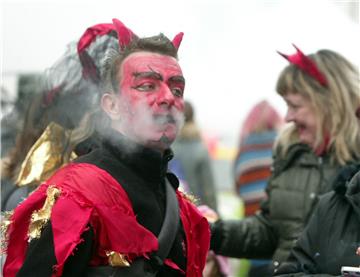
151, 98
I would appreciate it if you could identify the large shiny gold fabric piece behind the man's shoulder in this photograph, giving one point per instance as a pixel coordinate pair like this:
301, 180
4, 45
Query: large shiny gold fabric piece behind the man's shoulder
47, 155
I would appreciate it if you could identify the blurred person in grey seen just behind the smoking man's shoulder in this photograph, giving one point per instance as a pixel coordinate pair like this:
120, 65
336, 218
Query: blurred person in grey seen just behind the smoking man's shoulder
192, 162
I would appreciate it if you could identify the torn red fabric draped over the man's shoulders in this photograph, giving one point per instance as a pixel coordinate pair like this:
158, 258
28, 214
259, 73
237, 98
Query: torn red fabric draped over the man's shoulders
90, 194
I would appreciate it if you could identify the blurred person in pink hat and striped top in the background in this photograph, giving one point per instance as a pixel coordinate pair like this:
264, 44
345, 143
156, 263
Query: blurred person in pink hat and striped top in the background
252, 165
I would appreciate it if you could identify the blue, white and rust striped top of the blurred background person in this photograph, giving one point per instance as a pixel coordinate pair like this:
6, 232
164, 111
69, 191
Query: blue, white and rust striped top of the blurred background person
252, 168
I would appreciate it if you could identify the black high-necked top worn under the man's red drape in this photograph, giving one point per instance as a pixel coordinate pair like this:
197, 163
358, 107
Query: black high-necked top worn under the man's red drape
141, 172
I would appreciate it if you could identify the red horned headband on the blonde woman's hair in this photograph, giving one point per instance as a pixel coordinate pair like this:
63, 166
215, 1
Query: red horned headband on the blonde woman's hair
306, 65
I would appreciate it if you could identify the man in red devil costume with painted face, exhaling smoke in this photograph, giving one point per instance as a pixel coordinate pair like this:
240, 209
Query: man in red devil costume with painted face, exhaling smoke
102, 214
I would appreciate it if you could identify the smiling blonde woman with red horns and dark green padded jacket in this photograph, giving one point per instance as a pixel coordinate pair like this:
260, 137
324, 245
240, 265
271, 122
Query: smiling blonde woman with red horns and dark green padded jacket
321, 91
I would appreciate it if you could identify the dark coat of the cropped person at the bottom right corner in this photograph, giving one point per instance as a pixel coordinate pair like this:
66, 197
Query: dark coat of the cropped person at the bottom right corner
332, 236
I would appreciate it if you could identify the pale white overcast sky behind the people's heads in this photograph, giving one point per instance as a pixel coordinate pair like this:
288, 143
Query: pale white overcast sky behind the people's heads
228, 53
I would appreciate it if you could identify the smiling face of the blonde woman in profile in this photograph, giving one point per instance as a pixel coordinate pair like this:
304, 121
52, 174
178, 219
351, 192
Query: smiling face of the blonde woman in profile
301, 112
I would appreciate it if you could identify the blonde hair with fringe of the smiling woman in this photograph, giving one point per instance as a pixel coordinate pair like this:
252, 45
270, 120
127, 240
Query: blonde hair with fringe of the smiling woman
335, 104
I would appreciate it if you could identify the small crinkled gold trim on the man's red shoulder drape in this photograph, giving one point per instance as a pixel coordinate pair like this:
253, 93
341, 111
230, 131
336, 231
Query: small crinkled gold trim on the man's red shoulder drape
40, 217
